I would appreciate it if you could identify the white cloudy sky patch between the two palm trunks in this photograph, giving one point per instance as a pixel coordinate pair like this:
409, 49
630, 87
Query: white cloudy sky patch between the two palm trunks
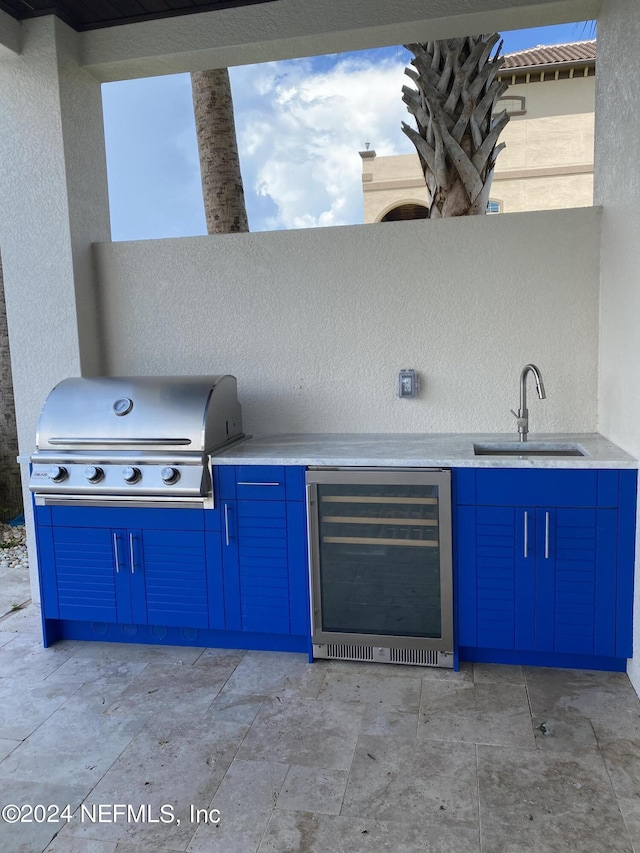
300, 125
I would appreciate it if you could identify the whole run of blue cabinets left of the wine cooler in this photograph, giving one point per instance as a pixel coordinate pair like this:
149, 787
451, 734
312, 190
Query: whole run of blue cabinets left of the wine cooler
234, 576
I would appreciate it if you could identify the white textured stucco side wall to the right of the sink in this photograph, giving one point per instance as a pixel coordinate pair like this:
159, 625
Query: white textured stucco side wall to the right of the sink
617, 188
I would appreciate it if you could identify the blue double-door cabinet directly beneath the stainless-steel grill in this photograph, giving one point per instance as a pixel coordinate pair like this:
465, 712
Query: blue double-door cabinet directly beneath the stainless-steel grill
94, 569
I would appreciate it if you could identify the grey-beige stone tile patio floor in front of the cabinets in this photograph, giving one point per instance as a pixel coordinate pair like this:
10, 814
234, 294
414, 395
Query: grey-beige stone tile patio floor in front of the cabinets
326, 758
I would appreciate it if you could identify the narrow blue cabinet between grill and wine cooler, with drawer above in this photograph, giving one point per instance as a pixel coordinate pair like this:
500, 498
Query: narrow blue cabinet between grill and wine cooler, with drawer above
264, 550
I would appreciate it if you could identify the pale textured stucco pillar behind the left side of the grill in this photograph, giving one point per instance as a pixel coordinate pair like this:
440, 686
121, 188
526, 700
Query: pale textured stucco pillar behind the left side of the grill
53, 205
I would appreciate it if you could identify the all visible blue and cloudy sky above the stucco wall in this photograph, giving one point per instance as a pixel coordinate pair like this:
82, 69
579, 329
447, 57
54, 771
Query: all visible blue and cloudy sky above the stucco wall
300, 124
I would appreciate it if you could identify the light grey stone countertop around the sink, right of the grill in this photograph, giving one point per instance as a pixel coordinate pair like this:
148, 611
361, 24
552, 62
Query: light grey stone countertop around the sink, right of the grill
419, 450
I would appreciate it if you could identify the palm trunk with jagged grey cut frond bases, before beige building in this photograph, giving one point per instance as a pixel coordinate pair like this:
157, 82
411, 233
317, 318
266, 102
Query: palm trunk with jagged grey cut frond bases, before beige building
457, 130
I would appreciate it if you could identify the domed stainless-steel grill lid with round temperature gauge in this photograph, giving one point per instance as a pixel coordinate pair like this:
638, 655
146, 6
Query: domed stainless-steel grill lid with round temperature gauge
144, 413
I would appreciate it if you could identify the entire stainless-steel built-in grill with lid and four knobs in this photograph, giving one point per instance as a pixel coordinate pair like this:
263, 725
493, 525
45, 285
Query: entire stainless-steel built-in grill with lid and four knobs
137, 440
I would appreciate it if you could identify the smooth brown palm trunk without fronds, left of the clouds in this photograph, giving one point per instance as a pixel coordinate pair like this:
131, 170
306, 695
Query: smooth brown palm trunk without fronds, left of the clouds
222, 188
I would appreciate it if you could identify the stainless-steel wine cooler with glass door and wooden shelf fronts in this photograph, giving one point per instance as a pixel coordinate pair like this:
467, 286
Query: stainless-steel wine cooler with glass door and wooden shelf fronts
381, 565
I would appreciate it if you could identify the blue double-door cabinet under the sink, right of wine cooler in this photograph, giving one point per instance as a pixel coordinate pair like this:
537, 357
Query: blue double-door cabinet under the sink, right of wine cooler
545, 566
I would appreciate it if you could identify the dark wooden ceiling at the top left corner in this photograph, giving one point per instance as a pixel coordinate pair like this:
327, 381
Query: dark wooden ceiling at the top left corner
94, 14
